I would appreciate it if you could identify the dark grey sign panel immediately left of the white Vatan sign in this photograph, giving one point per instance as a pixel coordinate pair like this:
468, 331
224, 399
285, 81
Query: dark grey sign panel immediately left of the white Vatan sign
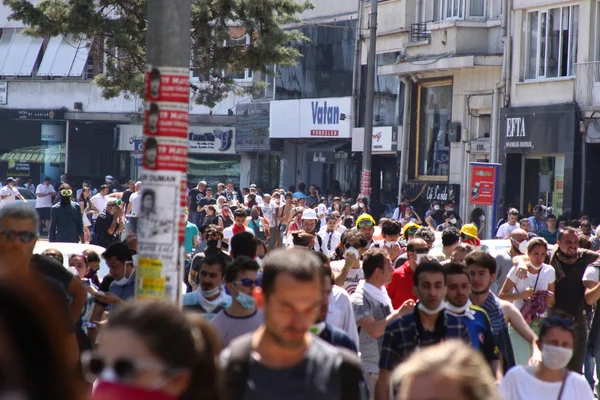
252, 127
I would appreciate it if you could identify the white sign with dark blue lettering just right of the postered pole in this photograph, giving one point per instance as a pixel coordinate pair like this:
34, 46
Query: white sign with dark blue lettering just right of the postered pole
211, 140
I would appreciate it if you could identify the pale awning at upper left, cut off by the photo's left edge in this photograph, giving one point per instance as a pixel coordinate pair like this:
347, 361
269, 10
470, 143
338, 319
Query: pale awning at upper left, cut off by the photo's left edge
18, 53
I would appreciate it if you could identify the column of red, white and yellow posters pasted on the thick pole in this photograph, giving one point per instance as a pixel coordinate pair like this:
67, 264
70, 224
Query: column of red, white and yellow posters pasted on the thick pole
164, 156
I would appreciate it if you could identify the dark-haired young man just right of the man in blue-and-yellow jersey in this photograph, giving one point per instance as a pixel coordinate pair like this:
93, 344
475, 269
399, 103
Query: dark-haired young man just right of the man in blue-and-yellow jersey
482, 268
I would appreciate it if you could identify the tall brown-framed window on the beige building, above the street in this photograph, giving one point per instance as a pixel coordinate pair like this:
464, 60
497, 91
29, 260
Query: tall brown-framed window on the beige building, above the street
434, 115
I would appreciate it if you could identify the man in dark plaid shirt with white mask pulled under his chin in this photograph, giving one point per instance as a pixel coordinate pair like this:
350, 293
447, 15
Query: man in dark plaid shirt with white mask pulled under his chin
427, 325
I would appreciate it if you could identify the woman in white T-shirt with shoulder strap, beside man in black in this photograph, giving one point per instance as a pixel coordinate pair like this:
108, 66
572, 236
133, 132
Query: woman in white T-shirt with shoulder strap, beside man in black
532, 296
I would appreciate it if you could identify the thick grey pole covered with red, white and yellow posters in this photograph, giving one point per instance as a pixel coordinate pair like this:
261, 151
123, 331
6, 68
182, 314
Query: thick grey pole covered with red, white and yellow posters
161, 226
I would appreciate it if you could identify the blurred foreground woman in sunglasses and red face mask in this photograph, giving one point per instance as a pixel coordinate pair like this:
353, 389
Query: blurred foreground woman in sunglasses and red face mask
153, 351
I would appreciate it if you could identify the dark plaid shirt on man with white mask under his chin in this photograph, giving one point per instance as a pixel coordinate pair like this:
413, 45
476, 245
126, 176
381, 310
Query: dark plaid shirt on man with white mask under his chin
401, 338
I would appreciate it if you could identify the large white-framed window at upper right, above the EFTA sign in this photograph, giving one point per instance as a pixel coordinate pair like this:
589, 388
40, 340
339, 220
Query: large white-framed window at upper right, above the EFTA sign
552, 42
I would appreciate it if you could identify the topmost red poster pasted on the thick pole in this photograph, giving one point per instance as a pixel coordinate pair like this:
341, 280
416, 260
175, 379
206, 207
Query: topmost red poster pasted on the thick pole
167, 84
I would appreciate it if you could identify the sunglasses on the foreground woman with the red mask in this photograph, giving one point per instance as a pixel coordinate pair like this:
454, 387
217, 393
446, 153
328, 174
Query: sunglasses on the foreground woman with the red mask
125, 369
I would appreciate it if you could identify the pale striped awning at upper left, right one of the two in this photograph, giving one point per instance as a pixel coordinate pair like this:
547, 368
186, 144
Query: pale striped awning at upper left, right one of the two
64, 57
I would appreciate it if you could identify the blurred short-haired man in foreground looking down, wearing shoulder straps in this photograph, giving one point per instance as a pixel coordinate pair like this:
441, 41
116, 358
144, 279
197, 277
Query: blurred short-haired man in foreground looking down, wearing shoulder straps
282, 359
